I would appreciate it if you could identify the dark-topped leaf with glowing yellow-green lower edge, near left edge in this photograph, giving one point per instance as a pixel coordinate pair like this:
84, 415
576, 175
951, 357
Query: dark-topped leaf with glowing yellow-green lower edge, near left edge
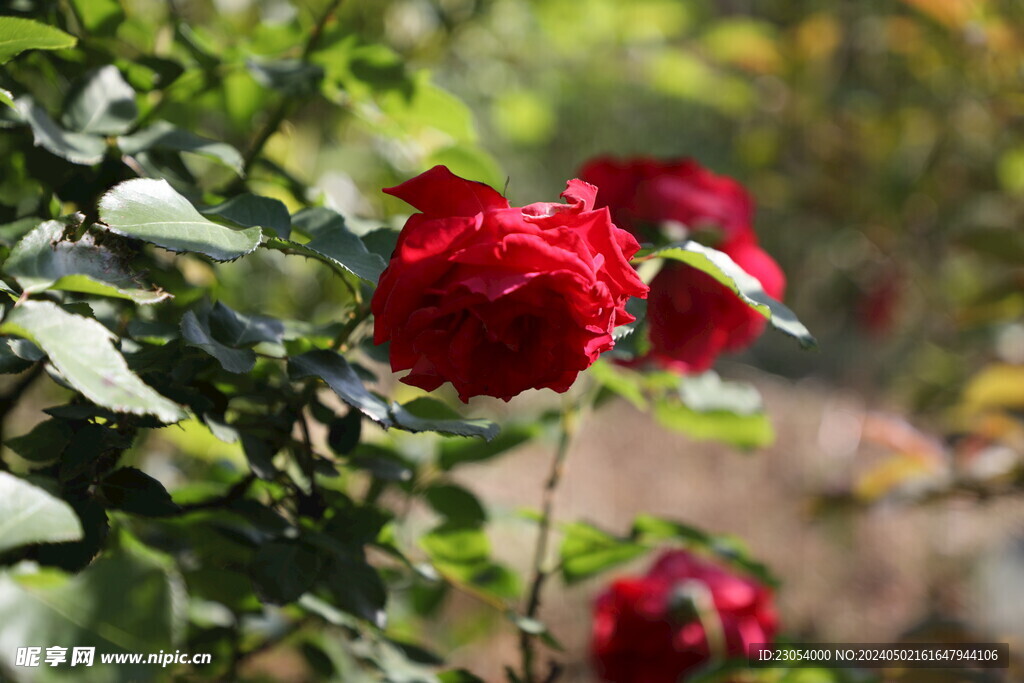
45, 261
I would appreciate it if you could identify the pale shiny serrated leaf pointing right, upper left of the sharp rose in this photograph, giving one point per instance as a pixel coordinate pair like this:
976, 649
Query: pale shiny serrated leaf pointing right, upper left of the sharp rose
153, 211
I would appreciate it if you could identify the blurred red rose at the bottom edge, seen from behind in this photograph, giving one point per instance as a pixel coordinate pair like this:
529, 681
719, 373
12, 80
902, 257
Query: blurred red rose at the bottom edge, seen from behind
653, 629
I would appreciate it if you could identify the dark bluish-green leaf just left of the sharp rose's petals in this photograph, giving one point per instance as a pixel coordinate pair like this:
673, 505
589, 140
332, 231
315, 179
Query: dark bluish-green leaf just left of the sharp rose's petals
332, 243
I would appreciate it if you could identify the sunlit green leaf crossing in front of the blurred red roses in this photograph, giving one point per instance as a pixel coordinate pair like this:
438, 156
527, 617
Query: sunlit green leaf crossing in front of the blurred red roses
747, 287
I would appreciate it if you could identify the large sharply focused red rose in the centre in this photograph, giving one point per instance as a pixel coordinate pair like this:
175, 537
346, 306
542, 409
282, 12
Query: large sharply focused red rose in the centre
498, 300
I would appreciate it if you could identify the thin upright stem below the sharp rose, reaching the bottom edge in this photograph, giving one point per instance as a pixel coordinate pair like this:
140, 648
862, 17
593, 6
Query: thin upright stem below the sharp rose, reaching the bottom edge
540, 574
